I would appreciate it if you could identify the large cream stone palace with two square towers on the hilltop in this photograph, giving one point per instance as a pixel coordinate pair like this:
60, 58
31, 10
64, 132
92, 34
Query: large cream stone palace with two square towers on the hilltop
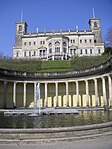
60, 45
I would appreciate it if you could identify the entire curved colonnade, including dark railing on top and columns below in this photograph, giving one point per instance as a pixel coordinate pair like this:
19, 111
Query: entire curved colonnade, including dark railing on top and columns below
85, 88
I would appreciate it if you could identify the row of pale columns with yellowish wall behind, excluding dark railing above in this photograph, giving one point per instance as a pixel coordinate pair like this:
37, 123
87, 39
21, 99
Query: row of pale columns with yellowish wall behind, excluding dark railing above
73, 92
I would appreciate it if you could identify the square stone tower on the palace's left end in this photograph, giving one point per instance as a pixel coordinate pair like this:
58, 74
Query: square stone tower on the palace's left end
21, 28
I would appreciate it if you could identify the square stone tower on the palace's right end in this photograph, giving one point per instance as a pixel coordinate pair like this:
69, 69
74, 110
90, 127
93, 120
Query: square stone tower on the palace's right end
94, 24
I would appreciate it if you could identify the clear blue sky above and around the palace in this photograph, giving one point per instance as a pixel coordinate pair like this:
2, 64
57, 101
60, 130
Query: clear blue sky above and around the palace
50, 14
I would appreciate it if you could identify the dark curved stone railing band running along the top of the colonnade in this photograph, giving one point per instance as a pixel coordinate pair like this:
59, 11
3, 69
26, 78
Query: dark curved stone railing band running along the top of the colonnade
19, 75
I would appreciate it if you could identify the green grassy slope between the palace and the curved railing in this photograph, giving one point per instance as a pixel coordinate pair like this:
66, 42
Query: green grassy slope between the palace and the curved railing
52, 66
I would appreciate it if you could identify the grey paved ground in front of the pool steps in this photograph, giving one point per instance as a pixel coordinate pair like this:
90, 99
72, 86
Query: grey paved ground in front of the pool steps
97, 143
